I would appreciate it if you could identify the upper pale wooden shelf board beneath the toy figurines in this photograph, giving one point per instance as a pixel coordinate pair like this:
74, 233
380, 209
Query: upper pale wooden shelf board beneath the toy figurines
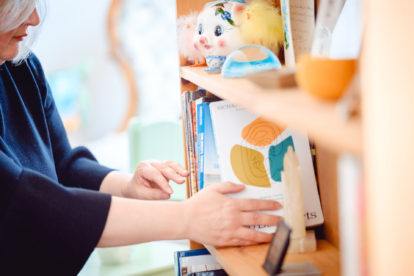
291, 107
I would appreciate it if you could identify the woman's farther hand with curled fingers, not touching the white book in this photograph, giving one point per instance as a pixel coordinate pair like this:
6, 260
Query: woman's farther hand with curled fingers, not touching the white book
151, 180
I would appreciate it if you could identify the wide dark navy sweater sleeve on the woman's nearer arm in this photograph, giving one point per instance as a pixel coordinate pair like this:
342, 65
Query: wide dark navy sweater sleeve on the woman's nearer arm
44, 226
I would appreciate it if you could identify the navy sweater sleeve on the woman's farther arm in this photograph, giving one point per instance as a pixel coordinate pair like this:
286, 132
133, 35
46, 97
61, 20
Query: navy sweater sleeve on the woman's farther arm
75, 167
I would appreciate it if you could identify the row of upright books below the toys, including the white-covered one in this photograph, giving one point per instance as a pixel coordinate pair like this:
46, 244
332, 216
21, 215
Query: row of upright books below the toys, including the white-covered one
225, 142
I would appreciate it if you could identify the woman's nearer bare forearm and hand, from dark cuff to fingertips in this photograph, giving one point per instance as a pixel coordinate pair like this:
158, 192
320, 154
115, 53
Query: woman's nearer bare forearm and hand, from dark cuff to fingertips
209, 217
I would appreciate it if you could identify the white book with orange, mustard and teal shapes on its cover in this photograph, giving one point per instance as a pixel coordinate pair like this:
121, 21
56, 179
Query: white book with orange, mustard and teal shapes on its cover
251, 151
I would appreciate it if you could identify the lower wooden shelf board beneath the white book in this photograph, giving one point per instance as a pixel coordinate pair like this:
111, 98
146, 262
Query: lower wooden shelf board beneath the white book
248, 261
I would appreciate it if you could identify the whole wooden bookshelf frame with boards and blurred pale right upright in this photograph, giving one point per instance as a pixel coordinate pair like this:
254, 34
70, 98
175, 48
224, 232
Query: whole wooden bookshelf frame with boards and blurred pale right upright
382, 138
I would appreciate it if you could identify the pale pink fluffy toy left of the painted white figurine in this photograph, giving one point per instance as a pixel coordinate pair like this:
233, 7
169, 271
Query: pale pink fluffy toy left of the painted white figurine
186, 26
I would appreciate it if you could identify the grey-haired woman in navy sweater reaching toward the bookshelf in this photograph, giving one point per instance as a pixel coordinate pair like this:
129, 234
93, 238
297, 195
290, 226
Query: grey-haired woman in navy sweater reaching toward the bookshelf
57, 203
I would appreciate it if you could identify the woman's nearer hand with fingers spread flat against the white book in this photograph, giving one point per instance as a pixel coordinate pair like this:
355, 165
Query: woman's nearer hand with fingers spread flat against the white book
215, 219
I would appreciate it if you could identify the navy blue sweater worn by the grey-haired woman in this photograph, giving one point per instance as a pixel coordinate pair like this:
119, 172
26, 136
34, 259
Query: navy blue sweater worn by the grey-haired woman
51, 215
